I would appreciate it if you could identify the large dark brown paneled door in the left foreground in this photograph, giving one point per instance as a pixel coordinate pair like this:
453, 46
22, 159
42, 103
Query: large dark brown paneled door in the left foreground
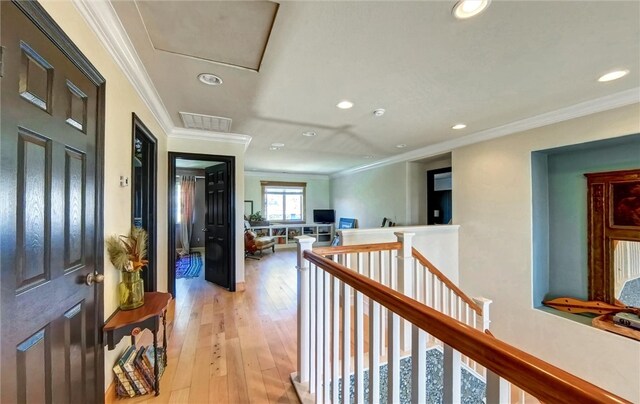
50, 223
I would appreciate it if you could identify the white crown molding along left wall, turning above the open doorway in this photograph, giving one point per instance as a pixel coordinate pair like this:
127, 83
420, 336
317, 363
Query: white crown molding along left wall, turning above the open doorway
103, 20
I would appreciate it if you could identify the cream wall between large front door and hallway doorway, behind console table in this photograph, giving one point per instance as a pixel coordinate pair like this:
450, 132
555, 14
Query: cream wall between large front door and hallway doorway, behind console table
121, 101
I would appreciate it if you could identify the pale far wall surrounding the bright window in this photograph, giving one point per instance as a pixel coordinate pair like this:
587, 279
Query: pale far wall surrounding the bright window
316, 194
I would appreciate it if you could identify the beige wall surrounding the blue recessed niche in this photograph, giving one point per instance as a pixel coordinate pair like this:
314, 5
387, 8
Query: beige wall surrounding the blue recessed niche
492, 204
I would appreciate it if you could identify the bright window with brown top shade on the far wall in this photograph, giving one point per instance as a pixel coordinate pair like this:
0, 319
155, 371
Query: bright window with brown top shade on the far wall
283, 201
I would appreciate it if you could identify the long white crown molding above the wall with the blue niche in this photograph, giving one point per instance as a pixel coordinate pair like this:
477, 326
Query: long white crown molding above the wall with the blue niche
613, 101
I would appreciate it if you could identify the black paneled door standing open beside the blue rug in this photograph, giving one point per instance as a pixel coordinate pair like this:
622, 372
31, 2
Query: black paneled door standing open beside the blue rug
219, 267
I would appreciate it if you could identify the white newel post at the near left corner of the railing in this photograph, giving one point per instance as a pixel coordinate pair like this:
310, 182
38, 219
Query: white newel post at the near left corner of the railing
304, 243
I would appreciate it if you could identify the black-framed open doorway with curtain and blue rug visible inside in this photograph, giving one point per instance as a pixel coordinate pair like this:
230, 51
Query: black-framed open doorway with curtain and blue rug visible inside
201, 218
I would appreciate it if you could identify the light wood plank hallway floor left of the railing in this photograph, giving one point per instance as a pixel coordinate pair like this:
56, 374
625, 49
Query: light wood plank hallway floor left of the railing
234, 347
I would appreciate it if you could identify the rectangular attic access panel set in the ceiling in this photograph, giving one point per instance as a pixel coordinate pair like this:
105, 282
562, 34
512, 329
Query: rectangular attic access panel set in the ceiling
228, 32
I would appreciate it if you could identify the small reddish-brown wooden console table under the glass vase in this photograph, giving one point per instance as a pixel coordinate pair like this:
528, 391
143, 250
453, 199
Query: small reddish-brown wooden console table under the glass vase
131, 322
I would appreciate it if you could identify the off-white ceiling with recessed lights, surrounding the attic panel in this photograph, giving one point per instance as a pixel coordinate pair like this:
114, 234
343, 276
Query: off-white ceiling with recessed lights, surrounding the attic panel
429, 71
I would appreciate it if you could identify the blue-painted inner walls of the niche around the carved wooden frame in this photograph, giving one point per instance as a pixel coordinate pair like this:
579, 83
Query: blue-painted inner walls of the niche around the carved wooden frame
560, 211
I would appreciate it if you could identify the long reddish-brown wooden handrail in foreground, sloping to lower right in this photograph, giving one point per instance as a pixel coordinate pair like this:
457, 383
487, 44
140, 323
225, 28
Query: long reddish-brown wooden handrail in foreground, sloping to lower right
539, 378
